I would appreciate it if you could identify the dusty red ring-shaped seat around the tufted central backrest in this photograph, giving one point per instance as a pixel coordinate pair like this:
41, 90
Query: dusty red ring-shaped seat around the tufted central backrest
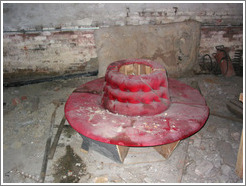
186, 115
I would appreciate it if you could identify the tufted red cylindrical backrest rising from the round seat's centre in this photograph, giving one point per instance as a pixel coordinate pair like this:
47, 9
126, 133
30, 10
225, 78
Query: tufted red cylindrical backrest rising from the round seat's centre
136, 95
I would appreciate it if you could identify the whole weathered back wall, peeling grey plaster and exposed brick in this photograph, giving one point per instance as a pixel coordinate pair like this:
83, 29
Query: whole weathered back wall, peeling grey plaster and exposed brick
54, 39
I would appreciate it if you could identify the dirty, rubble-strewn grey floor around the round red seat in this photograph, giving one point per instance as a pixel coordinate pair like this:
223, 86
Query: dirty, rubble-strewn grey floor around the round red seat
209, 156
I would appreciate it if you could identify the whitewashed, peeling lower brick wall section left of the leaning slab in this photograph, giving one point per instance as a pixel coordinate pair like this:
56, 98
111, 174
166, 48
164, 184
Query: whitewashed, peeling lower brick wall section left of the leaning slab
49, 53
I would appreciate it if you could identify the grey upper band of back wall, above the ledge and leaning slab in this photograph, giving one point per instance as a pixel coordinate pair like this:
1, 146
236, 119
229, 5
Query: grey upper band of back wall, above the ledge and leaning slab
49, 15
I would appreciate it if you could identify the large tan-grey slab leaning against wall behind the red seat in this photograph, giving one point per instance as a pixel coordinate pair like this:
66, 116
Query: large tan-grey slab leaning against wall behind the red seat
174, 45
